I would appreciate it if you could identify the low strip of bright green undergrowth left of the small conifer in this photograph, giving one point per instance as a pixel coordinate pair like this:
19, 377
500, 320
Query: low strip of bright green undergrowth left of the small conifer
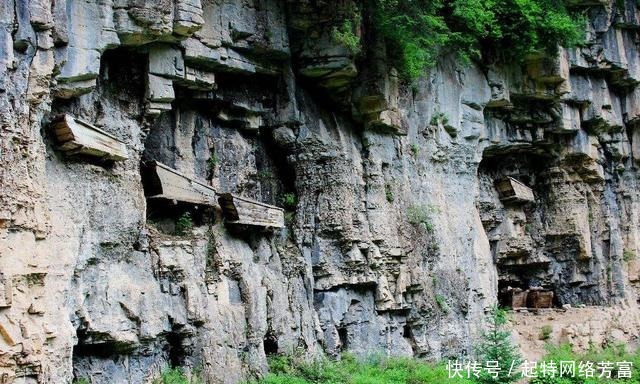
351, 370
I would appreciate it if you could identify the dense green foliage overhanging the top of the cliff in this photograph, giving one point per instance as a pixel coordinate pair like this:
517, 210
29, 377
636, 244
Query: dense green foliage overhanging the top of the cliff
418, 31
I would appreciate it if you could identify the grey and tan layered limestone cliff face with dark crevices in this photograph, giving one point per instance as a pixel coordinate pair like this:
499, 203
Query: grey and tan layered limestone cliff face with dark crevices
396, 240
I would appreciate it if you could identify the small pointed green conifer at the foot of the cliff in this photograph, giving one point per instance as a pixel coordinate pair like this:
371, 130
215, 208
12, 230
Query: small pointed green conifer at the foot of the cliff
496, 346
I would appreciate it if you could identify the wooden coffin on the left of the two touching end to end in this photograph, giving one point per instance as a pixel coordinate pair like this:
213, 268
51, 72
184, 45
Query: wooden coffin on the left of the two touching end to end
165, 182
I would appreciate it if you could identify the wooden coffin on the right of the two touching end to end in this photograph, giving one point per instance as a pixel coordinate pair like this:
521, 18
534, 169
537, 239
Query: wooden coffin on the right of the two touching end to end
240, 210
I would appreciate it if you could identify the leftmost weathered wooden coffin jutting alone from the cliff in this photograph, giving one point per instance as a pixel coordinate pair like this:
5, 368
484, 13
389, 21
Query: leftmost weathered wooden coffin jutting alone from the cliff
78, 137
